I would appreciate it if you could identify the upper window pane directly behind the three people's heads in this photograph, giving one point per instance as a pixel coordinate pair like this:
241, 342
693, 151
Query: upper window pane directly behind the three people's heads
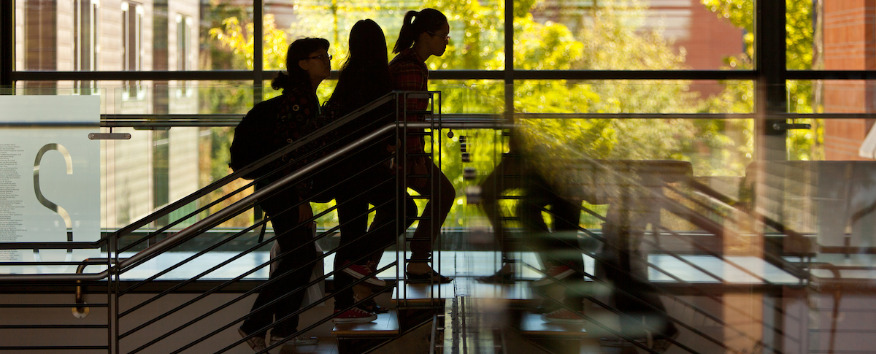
476, 30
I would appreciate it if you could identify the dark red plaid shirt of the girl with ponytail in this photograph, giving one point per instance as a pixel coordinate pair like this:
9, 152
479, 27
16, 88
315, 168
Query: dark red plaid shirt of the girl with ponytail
409, 73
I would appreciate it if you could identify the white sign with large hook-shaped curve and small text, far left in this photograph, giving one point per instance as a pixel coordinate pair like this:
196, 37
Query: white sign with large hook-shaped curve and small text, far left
49, 175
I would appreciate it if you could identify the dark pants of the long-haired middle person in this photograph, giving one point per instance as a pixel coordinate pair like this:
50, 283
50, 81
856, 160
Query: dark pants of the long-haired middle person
376, 186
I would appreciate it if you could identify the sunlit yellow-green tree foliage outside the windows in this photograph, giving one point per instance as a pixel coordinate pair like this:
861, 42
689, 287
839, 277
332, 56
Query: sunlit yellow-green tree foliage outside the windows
612, 39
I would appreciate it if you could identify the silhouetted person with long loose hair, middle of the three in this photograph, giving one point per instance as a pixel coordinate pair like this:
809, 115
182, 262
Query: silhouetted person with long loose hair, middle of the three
363, 79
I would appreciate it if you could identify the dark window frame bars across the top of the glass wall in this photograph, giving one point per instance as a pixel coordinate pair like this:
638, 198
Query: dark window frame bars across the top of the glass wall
770, 75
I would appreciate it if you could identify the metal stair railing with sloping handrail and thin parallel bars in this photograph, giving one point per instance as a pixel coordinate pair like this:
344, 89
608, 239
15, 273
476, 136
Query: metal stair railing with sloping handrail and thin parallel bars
116, 265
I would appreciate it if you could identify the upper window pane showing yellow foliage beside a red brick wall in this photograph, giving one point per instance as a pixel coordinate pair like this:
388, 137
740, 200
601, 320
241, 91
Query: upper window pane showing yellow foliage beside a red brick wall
631, 35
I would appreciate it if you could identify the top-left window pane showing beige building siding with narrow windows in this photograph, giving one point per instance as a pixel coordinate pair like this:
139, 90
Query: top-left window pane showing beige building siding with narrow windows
93, 35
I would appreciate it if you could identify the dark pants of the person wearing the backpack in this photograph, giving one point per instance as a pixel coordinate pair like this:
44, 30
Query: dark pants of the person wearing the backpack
292, 272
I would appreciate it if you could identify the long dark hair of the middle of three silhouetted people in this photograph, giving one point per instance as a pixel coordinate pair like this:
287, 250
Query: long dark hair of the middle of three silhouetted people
364, 77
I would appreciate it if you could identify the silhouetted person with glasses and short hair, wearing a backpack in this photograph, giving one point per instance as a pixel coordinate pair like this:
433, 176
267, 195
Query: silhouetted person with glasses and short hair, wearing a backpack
307, 64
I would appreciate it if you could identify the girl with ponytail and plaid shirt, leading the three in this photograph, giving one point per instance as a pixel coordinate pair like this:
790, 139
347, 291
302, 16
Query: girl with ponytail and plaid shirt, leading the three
423, 34
